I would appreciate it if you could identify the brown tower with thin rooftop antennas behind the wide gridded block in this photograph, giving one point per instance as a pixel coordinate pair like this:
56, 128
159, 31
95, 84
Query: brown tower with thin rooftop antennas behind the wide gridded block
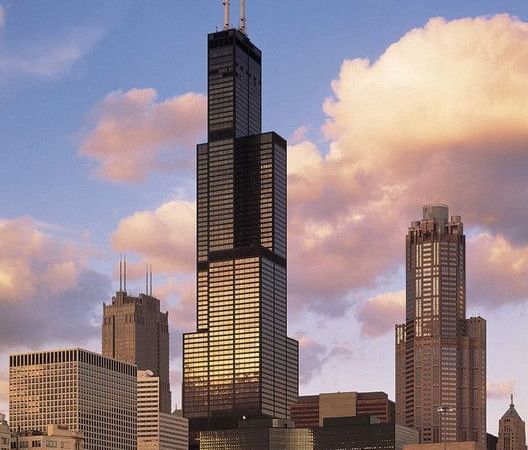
137, 332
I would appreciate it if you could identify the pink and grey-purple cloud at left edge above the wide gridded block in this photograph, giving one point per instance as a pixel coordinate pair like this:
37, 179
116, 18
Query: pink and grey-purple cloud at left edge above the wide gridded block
47, 293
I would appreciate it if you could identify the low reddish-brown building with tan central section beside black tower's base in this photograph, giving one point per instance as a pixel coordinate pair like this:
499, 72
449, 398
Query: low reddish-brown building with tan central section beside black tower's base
310, 410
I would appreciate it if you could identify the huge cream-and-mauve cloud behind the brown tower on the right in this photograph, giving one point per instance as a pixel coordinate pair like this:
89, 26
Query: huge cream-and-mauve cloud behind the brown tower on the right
441, 114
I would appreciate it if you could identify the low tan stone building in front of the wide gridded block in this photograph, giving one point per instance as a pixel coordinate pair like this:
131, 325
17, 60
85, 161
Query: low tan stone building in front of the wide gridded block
56, 437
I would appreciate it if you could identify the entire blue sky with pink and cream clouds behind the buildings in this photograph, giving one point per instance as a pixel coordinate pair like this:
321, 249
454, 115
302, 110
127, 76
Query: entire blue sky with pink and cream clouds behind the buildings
387, 105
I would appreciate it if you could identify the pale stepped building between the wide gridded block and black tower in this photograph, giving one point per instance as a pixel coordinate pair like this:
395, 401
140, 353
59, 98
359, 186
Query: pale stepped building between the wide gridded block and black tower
157, 430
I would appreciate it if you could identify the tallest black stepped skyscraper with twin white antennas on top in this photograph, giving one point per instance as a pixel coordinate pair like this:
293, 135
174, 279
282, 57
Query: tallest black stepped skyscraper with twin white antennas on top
240, 361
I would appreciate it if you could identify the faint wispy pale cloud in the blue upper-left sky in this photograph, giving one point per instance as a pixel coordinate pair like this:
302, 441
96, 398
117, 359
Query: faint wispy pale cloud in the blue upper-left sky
48, 58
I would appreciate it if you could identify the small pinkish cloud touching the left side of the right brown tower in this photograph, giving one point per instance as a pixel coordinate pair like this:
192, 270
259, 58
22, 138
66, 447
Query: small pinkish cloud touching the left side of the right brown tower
379, 314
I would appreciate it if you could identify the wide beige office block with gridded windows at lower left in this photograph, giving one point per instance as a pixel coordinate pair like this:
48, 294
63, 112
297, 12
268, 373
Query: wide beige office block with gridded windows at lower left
78, 389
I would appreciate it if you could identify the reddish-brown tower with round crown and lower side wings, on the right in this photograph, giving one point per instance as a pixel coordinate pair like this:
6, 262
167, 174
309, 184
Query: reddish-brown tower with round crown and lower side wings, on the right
440, 355
